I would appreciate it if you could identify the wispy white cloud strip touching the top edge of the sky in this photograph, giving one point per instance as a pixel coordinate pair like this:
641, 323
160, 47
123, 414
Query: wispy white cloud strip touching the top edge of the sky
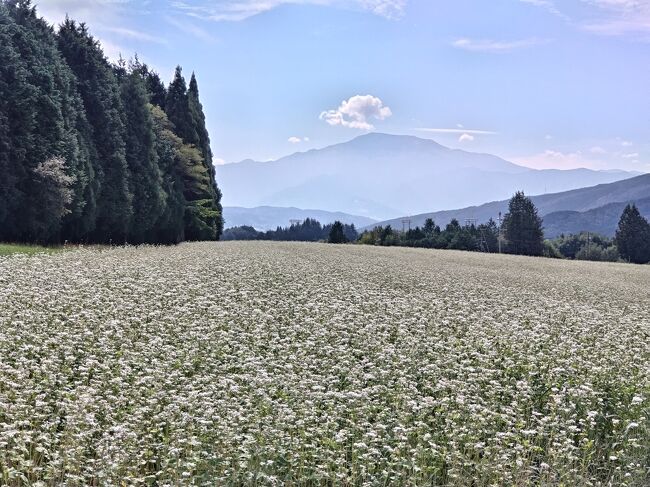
235, 10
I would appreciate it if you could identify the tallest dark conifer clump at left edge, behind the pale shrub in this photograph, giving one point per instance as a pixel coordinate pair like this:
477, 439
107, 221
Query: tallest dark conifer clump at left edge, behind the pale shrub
41, 117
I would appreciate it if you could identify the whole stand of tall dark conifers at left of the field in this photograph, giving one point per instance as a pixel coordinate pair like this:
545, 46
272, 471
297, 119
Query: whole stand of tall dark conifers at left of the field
93, 152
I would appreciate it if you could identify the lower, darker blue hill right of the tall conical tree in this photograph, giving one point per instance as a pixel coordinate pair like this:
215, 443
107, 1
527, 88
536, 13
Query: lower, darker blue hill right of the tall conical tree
602, 220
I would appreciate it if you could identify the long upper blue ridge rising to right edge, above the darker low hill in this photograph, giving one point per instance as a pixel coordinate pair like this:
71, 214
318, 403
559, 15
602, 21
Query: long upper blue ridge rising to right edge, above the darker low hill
577, 200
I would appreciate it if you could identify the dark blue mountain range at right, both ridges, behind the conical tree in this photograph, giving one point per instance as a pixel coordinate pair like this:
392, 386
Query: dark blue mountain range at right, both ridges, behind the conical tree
596, 209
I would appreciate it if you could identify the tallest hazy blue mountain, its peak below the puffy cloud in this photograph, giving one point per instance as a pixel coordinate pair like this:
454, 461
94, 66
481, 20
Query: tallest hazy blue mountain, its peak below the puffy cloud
382, 176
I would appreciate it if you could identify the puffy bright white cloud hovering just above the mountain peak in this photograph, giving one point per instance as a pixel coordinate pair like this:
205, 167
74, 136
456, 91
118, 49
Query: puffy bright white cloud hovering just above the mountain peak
357, 112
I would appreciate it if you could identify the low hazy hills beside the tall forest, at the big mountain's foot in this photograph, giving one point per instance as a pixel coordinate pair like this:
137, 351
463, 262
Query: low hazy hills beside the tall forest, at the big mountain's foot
270, 217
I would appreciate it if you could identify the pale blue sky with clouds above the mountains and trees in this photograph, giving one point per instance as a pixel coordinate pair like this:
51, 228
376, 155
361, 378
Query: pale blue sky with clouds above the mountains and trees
542, 83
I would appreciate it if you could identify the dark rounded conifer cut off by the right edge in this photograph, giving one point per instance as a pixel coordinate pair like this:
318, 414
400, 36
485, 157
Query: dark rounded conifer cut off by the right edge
633, 236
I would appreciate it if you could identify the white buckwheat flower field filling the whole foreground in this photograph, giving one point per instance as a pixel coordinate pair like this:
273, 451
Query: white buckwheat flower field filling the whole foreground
311, 364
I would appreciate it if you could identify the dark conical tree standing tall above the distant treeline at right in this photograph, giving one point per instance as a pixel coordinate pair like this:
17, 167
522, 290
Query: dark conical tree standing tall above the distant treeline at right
522, 227
